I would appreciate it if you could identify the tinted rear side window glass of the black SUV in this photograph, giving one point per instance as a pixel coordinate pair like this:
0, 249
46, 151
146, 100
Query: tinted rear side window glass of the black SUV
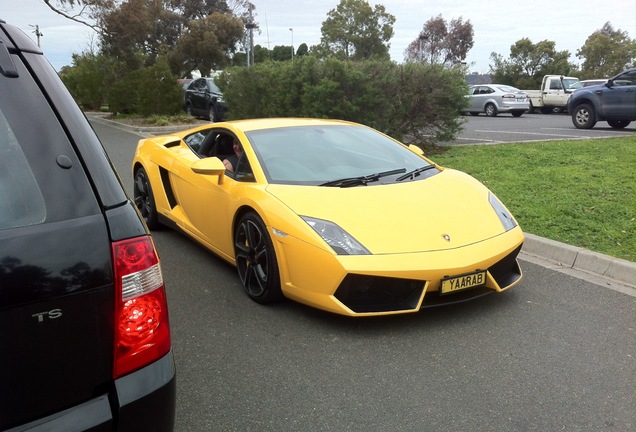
42, 179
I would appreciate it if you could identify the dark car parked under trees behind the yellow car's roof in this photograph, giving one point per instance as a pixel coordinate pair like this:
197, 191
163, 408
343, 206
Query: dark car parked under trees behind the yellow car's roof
204, 99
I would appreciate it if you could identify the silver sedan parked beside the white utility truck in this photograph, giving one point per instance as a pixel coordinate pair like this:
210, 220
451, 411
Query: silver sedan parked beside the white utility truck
493, 99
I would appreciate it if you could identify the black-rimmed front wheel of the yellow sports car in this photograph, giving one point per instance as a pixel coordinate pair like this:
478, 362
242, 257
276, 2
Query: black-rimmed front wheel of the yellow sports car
256, 260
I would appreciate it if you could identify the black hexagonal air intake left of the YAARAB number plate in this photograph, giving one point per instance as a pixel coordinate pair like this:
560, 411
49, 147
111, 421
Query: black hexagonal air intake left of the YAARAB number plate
362, 293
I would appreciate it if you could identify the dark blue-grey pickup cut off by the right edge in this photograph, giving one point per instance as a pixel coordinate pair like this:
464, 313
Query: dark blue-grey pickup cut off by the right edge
613, 102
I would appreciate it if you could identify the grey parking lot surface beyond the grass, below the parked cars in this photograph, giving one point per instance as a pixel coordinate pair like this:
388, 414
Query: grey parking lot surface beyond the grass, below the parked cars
530, 127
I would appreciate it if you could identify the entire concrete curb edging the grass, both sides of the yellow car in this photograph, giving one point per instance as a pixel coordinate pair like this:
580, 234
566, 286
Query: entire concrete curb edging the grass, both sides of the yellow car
560, 254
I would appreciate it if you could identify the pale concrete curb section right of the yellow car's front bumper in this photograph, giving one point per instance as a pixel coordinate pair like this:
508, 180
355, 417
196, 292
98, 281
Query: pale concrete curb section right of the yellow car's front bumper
581, 259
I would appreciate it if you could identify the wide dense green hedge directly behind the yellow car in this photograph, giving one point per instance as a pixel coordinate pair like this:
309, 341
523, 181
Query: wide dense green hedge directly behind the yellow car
415, 103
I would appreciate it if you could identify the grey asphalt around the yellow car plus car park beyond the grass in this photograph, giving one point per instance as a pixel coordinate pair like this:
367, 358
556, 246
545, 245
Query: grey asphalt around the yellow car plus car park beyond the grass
553, 353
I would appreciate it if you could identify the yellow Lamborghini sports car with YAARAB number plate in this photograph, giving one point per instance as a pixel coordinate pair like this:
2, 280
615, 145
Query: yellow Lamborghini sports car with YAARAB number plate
332, 214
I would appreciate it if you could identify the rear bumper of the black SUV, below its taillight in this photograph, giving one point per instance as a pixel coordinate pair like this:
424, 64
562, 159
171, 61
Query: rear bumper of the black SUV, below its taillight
143, 400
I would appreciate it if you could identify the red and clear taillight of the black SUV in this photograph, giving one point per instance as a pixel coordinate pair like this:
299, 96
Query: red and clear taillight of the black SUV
142, 331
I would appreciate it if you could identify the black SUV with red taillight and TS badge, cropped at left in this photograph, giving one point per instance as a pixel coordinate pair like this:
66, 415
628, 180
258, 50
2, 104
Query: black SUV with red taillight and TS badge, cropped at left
84, 332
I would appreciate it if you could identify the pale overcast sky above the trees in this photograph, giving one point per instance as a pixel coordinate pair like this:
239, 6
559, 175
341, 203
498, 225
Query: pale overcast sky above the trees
497, 24
